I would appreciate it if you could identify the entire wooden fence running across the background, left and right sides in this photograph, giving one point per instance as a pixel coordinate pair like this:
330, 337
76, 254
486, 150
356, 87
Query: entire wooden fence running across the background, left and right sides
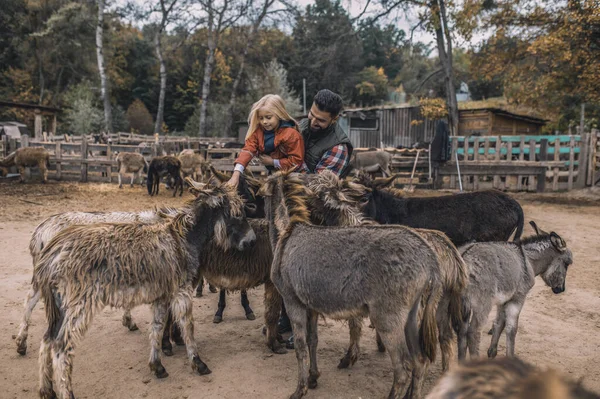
533, 163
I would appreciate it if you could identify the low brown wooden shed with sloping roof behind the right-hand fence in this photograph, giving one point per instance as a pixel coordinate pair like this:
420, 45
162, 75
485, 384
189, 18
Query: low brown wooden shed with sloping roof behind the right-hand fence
497, 122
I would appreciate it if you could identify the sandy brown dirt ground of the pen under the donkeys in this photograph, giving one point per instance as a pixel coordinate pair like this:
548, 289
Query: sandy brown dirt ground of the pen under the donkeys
558, 331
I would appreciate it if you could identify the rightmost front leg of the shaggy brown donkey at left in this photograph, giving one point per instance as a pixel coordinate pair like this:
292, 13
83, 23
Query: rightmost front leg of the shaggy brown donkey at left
182, 308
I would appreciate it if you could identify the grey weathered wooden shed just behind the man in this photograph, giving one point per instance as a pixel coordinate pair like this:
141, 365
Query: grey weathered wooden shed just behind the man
392, 126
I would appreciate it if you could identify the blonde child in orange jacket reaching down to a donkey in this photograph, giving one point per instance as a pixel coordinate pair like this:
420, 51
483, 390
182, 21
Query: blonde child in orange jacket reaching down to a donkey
273, 136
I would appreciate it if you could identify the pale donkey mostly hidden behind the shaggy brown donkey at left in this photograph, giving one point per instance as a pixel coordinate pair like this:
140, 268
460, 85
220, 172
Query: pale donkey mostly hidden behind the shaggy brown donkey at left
46, 230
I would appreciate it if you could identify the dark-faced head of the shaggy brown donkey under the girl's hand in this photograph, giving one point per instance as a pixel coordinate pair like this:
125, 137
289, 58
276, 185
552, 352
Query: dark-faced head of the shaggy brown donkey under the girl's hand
231, 230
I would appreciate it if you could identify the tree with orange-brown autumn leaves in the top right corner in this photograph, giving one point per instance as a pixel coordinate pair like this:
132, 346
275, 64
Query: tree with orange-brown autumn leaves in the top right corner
546, 55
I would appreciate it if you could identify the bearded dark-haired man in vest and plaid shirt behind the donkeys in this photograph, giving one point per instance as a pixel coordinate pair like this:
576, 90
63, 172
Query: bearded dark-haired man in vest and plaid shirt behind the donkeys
326, 146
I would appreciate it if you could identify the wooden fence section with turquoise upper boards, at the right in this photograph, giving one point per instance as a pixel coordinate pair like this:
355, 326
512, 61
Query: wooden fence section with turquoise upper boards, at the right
518, 163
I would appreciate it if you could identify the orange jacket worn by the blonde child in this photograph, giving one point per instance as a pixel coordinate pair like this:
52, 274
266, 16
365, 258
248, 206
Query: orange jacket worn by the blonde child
289, 148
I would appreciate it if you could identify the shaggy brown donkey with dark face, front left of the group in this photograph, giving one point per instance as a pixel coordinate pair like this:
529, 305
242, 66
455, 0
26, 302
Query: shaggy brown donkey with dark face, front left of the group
85, 268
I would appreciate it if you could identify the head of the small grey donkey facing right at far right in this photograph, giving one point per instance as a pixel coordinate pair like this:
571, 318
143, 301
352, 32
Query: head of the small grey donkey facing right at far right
559, 259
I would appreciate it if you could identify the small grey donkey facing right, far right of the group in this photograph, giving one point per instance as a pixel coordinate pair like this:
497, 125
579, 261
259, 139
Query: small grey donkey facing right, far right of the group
503, 273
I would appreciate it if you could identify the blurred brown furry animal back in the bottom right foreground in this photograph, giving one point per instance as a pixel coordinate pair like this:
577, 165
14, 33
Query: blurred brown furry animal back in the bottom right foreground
506, 377
